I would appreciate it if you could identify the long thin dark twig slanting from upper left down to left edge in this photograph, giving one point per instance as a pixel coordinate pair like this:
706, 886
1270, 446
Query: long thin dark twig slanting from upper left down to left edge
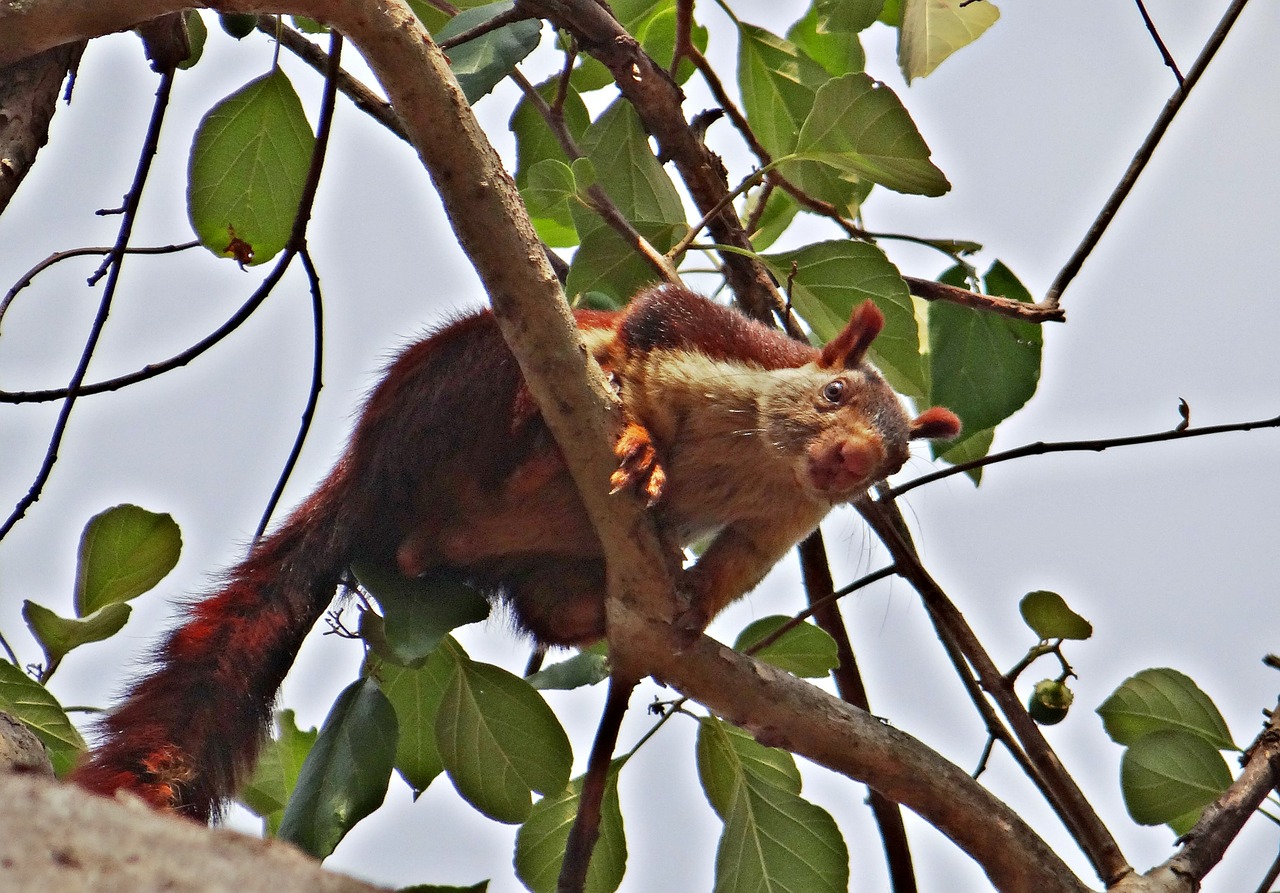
104, 309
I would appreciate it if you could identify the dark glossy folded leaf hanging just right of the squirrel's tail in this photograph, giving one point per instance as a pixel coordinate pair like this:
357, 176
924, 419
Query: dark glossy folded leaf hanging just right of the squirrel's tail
345, 777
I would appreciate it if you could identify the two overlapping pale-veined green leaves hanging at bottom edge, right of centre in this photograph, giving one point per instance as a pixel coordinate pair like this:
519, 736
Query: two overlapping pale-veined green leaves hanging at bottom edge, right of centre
774, 840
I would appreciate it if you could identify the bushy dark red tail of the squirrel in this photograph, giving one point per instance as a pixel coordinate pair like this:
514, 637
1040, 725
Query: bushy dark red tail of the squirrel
188, 732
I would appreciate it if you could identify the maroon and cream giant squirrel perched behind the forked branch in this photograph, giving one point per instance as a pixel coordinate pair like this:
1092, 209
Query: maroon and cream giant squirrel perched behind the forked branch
451, 469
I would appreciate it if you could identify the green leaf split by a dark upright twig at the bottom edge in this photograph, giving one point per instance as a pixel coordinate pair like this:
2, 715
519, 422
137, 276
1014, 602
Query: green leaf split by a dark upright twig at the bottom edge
541, 841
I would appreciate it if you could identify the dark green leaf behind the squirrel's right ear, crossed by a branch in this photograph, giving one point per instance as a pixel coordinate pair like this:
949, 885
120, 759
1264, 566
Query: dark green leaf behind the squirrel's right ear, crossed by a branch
984, 367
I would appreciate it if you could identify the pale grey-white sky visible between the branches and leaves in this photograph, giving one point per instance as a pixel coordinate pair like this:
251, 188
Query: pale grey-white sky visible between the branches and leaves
1168, 549
